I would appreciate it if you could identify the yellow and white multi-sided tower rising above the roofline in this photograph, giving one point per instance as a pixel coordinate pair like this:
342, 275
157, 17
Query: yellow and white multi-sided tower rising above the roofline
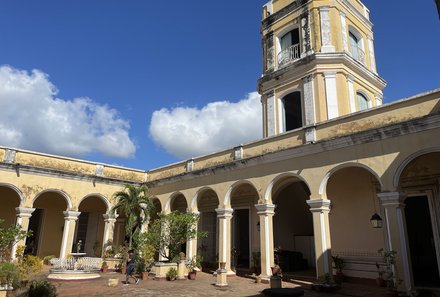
318, 64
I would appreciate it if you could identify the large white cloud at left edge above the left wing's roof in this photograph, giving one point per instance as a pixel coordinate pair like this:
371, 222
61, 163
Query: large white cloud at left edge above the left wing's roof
31, 117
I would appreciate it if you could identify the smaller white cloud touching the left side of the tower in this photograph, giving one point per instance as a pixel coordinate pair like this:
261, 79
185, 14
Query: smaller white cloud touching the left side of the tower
187, 132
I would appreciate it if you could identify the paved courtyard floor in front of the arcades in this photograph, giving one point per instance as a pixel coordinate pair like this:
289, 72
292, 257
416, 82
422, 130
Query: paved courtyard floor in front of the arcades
202, 286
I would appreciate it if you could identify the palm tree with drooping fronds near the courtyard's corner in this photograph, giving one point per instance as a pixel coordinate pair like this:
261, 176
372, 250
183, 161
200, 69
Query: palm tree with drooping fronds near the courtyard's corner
137, 207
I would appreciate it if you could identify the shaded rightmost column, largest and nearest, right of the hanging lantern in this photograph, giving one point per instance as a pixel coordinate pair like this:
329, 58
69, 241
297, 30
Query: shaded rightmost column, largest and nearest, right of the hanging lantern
396, 236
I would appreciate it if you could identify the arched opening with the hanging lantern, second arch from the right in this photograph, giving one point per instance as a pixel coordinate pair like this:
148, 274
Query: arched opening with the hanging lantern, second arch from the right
352, 190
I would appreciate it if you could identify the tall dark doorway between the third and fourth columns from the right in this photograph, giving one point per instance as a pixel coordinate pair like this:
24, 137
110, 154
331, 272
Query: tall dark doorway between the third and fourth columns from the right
241, 238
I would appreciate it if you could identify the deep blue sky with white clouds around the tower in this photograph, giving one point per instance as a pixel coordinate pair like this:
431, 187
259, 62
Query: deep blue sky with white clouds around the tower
146, 83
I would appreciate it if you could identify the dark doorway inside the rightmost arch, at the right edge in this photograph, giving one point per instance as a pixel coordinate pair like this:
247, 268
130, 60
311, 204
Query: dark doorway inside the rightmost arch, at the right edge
421, 242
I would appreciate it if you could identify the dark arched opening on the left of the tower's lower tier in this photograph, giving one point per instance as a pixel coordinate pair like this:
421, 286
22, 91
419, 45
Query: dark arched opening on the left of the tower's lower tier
292, 111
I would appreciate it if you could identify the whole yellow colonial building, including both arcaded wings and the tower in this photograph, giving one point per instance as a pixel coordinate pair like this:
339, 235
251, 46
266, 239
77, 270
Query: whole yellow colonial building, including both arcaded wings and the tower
332, 156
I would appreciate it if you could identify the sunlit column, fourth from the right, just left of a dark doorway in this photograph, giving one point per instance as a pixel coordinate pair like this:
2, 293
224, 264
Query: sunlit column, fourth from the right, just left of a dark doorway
225, 215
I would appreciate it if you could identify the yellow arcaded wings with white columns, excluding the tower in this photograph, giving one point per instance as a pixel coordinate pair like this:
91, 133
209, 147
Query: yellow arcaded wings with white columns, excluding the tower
298, 206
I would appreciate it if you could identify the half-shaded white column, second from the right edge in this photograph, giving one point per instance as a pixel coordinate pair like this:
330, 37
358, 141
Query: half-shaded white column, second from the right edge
320, 209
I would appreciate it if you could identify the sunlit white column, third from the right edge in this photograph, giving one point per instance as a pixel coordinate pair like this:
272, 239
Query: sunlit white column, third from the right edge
266, 212
